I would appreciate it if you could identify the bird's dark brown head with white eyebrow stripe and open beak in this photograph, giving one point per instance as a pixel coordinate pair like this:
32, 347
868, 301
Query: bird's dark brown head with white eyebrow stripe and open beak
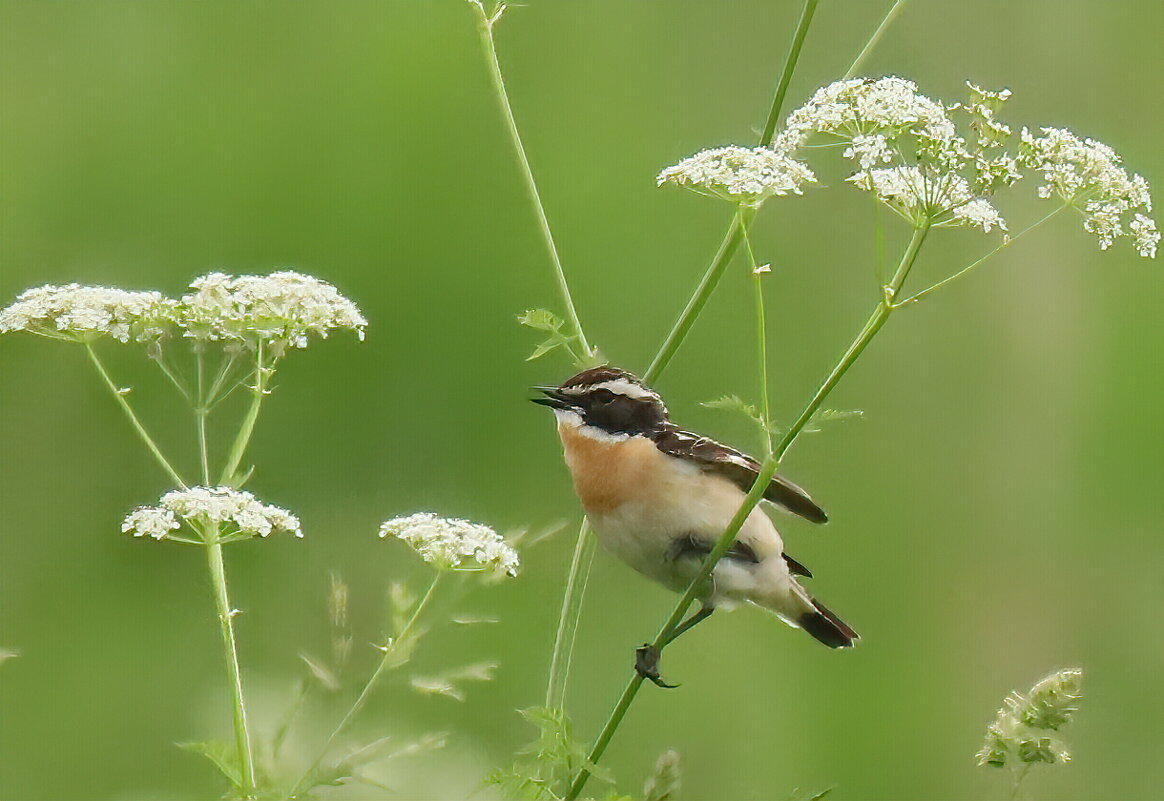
608, 400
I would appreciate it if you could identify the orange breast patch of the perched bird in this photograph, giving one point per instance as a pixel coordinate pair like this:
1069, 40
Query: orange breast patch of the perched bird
609, 473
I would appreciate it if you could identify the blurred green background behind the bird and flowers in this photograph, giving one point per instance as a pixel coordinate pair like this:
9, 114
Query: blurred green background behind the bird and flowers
997, 514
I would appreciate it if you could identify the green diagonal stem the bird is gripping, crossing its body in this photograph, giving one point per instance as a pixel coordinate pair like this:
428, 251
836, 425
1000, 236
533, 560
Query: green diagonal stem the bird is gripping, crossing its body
885, 308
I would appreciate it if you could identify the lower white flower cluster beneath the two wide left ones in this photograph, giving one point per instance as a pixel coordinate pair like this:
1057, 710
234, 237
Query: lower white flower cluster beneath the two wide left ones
200, 507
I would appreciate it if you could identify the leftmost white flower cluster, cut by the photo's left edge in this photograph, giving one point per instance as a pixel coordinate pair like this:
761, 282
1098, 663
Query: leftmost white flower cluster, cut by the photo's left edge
79, 314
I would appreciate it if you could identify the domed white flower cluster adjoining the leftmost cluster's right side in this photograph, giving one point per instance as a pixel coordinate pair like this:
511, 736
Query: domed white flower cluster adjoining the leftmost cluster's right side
279, 310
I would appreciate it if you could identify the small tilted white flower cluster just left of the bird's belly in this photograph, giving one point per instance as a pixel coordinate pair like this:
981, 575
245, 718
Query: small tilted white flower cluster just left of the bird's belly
448, 542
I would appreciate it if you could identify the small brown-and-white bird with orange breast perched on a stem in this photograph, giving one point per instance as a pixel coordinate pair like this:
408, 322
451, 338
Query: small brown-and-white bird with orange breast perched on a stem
659, 498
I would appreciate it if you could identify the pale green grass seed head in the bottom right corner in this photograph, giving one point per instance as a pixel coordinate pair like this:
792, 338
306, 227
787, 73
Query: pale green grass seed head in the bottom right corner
1020, 732
